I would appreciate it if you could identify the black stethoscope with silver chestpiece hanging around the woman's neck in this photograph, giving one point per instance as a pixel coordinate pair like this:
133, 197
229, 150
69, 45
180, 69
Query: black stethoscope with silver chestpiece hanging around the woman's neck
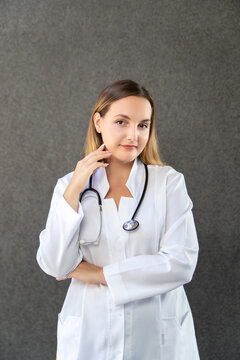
128, 225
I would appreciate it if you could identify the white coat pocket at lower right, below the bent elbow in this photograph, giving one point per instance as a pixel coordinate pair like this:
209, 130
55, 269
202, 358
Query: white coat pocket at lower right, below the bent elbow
172, 336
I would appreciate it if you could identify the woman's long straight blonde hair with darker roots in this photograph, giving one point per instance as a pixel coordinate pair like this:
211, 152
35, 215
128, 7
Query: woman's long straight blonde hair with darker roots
115, 91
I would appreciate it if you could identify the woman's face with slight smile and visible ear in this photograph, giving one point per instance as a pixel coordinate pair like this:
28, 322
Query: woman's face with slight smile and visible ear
127, 122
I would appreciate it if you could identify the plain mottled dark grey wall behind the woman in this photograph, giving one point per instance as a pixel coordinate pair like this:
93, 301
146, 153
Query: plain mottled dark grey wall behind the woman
55, 57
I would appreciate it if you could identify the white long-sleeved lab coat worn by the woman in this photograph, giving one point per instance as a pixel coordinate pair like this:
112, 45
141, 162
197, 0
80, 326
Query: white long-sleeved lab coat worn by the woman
144, 312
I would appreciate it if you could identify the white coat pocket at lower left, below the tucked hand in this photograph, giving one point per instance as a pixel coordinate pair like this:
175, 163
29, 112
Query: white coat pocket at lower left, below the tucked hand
68, 337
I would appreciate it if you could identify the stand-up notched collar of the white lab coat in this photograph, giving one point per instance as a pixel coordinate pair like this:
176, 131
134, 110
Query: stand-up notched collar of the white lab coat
134, 183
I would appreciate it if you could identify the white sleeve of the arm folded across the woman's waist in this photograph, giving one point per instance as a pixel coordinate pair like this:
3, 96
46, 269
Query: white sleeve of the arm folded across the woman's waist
173, 265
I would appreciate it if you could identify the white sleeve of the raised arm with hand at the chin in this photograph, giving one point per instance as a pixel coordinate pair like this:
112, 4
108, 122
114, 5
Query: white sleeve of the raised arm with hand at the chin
59, 250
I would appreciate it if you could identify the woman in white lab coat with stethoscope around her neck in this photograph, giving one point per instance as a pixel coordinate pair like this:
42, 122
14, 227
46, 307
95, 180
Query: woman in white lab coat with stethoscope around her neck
126, 299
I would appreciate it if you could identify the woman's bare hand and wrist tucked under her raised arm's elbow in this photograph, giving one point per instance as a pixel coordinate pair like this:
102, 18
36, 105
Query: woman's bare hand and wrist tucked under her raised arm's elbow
88, 273
